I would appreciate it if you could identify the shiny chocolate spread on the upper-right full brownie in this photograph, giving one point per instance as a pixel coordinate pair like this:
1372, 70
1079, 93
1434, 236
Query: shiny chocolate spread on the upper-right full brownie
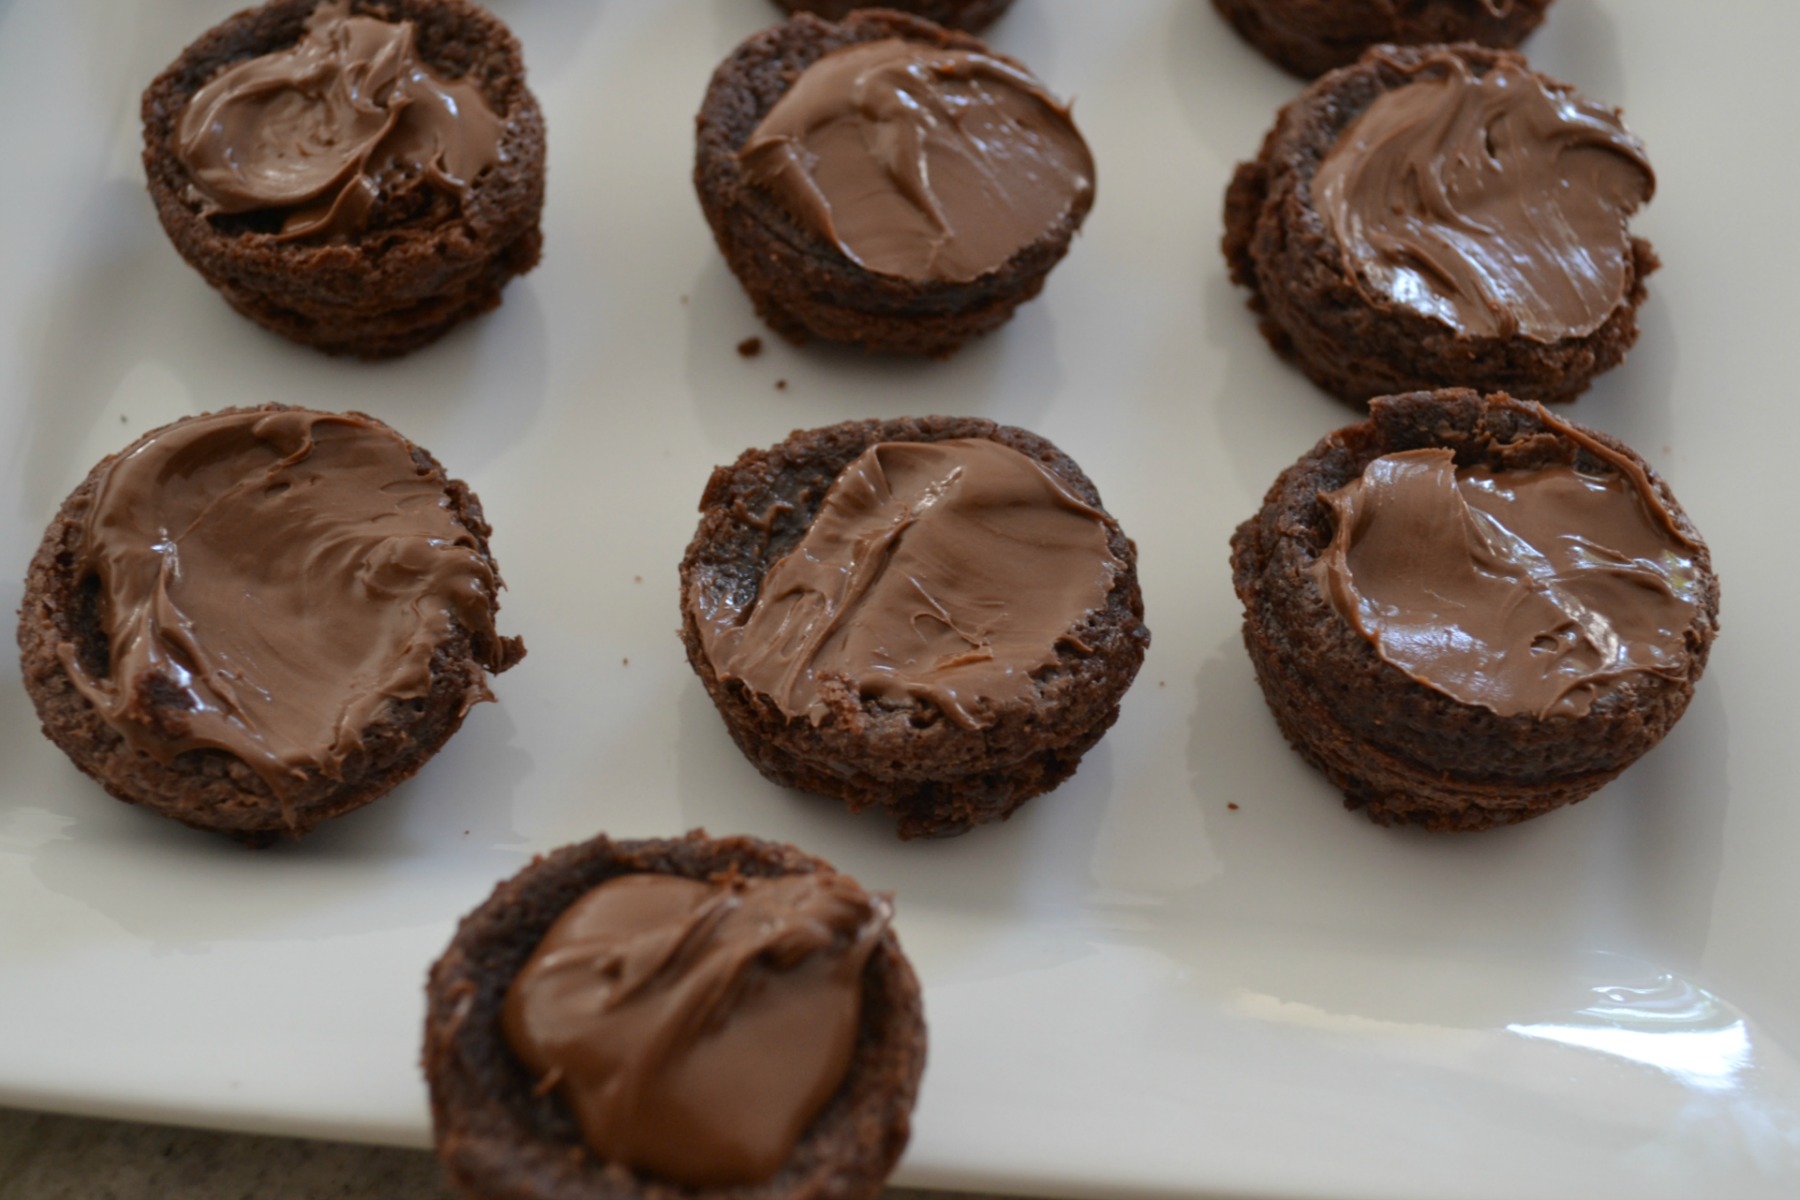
1491, 202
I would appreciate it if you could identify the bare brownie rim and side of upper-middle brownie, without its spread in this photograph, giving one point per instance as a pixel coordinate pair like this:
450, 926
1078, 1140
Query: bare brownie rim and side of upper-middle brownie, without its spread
802, 285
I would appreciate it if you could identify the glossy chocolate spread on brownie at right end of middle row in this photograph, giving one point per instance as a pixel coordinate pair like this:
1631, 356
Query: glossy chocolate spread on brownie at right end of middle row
1525, 593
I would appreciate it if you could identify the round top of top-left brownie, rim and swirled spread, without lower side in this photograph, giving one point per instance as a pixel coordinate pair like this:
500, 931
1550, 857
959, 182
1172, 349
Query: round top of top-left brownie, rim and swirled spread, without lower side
328, 123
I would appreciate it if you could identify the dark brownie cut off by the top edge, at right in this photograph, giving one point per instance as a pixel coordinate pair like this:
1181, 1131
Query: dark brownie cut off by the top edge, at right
1313, 37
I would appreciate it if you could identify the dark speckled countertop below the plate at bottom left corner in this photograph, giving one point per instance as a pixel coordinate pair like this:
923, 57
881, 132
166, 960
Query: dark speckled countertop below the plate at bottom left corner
55, 1158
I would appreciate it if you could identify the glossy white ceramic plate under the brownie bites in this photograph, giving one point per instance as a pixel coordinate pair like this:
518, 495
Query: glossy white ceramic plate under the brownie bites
1133, 989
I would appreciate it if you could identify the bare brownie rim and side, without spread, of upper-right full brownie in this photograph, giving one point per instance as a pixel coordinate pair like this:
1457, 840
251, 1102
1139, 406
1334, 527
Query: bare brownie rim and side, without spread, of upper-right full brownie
1313, 314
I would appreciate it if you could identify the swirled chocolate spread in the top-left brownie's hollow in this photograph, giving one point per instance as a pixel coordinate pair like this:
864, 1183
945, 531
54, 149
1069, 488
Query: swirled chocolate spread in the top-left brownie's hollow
318, 132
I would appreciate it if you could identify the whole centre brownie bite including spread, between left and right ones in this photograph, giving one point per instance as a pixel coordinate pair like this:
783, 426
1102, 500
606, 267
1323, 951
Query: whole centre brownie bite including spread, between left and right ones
928, 616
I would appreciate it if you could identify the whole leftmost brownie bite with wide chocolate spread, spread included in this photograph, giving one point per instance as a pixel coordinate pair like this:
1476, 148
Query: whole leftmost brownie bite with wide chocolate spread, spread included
264, 618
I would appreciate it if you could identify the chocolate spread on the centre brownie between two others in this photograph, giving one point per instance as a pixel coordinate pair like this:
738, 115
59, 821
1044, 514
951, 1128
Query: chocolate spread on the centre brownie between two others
940, 573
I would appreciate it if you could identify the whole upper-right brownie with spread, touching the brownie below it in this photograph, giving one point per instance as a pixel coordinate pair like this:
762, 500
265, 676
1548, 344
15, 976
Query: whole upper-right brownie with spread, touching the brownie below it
1439, 217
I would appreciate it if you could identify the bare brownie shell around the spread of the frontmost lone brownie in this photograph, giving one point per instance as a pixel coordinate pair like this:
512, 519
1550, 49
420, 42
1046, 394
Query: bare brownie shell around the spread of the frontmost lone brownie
501, 1142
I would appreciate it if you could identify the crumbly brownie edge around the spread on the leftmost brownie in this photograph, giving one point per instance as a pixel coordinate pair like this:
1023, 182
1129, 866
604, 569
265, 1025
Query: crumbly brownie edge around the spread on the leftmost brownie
213, 789
